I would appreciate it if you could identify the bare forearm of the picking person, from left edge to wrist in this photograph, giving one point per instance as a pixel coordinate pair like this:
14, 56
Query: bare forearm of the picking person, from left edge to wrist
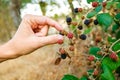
7, 51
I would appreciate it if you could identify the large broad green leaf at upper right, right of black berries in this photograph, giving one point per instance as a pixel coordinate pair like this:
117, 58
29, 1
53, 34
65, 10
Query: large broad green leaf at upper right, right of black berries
105, 19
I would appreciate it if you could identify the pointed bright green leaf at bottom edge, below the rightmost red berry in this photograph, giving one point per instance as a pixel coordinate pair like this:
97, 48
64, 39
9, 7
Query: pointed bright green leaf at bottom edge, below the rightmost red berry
107, 73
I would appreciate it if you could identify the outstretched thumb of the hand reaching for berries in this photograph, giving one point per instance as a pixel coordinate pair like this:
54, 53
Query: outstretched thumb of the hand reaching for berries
46, 40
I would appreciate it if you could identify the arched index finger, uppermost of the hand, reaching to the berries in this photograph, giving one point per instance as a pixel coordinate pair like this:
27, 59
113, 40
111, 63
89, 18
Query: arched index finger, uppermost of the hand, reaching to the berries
42, 20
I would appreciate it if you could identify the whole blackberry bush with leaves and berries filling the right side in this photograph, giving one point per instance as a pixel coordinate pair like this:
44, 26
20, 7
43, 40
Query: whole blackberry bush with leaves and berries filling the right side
99, 28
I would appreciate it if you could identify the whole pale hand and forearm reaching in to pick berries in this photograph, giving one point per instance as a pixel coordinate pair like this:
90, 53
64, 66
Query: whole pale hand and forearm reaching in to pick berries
31, 35
